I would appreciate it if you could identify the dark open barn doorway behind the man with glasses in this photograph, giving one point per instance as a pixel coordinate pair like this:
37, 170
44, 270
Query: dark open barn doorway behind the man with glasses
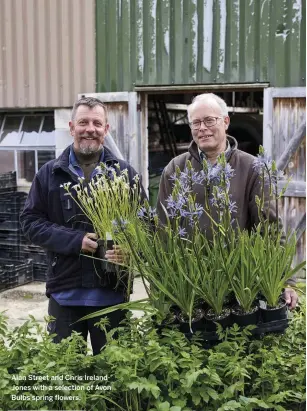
169, 132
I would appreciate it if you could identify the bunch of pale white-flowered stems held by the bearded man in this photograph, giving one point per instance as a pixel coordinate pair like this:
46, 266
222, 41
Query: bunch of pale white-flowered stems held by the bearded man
110, 186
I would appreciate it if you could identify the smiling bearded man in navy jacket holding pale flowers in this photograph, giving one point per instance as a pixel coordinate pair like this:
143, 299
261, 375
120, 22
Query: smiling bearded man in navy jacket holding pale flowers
53, 221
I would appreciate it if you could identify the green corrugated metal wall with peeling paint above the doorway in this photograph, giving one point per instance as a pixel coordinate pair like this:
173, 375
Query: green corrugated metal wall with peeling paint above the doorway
165, 42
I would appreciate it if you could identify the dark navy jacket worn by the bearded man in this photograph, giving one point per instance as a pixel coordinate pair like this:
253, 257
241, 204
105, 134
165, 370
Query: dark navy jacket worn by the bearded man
52, 220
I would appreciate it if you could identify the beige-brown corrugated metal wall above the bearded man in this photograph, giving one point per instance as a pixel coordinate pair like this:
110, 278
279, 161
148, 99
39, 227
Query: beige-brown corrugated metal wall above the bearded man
47, 52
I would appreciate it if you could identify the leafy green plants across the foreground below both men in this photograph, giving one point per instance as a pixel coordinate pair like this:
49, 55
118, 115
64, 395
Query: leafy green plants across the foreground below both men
147, 369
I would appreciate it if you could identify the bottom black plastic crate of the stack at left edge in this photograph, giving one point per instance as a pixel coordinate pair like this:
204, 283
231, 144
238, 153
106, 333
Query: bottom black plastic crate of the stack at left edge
16, 273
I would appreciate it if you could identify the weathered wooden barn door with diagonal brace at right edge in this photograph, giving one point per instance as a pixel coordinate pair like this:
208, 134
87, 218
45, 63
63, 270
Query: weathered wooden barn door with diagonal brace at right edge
284, 138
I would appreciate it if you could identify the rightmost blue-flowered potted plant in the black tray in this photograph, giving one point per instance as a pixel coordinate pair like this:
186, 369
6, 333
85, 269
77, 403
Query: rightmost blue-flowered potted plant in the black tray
276, 250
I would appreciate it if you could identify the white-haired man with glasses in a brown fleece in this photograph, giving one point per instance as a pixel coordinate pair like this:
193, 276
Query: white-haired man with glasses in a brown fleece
209, 121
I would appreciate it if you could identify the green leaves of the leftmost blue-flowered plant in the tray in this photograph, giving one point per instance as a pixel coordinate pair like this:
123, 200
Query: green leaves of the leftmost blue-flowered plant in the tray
163, 259
